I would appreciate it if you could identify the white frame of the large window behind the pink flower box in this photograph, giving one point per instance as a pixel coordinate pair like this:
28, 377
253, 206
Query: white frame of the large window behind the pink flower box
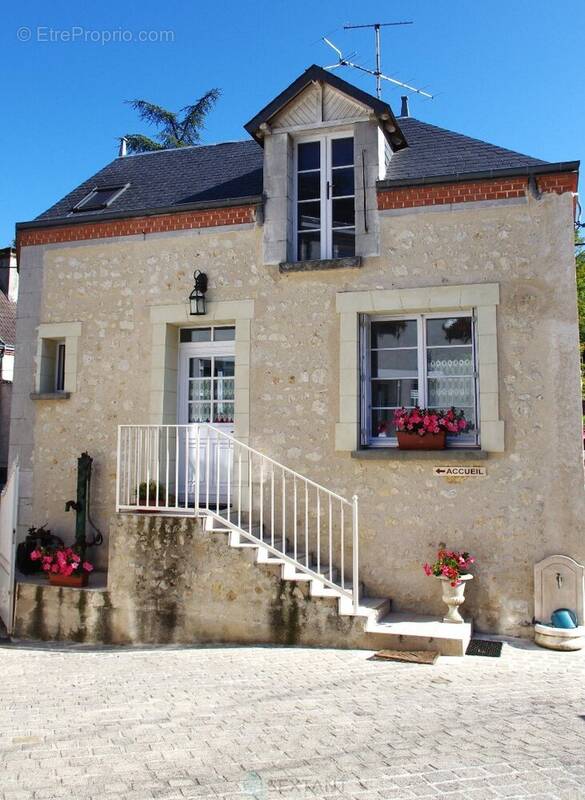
367, 438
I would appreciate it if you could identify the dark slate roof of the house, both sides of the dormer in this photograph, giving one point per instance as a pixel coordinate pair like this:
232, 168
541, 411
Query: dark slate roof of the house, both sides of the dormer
168, 180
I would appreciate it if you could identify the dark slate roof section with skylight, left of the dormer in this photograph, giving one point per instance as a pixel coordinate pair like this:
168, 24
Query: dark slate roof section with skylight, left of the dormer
169, 178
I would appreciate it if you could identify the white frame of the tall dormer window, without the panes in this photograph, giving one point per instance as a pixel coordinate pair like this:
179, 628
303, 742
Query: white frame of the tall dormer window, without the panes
326, 181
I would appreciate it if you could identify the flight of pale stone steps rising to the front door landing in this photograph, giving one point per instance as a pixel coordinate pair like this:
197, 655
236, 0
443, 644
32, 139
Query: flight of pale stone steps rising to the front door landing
380, 626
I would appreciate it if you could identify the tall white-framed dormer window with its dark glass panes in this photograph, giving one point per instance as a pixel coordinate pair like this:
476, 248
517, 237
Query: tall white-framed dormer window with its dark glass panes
325, 198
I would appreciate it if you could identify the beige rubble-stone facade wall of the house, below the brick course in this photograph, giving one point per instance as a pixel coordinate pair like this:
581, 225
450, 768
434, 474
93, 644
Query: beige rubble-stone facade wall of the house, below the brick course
529, 506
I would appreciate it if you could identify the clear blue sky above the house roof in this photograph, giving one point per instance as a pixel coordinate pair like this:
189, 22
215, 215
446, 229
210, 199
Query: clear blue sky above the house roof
508, 71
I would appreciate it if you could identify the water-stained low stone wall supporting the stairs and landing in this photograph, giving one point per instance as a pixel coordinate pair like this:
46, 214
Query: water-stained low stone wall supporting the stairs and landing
171, 582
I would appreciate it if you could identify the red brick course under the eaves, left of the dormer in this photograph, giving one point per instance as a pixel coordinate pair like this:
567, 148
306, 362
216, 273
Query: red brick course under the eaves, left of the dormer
182, 220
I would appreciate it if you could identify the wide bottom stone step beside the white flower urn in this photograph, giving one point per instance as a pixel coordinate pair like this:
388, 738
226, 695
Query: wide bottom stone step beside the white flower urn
406, 631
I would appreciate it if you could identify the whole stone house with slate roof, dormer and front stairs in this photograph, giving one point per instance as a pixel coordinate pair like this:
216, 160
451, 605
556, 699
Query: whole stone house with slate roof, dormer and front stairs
356, 262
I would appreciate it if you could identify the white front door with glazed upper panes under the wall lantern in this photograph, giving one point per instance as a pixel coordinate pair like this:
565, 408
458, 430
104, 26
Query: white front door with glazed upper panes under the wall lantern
206, 395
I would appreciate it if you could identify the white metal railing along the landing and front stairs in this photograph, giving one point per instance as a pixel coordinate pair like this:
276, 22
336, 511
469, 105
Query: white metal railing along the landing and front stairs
201, 470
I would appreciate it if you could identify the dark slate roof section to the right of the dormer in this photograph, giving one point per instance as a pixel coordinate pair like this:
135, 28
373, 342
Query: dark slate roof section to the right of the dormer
434, 151
